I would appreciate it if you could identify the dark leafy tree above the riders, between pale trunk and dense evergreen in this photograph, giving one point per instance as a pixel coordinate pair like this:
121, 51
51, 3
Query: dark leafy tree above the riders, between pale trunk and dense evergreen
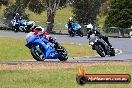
85, 11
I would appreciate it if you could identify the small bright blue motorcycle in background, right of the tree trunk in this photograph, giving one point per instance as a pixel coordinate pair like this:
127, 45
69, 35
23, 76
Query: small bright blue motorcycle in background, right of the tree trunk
75, 30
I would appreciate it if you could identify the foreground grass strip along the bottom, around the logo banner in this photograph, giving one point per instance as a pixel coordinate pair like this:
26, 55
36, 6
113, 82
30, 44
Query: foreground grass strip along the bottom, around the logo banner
60, 78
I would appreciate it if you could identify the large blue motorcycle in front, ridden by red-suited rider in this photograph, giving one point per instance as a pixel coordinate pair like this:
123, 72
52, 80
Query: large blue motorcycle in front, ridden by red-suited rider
42, 49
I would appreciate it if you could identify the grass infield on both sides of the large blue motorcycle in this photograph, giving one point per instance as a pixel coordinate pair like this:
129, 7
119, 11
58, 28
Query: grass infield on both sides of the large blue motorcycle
14, 49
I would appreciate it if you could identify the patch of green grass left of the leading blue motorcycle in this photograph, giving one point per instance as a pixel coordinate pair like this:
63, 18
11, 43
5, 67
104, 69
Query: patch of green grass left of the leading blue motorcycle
13, 49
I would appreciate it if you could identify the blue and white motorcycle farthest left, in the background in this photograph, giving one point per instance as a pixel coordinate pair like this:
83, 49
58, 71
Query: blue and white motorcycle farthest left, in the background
22, 25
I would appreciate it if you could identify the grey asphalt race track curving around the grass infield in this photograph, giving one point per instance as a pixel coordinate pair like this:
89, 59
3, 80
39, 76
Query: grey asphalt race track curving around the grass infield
123, 48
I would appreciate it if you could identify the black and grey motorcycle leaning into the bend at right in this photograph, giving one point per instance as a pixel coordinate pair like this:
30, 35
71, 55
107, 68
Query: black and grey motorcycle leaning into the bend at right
100, 46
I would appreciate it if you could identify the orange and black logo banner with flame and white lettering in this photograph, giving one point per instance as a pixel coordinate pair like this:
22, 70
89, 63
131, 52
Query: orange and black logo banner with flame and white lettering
83, 78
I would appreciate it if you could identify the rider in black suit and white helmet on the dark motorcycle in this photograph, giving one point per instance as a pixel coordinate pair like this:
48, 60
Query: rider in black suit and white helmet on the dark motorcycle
92, 29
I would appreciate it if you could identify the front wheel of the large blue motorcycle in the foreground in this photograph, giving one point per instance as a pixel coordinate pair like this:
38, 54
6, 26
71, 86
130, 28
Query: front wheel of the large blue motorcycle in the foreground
37, 55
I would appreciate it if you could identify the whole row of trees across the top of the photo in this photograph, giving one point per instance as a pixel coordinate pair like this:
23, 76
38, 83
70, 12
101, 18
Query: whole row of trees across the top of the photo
119, 12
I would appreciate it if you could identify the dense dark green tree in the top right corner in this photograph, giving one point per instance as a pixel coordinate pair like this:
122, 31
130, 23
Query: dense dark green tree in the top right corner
120, 14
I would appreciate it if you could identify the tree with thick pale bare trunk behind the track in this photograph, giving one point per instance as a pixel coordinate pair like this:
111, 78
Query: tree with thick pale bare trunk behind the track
51, 6
